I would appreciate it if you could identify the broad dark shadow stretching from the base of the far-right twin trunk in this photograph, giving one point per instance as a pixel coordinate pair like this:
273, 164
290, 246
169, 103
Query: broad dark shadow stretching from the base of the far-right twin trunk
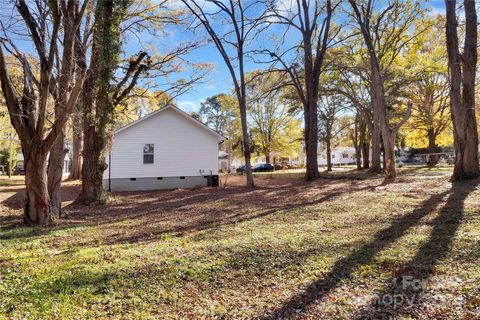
404, 295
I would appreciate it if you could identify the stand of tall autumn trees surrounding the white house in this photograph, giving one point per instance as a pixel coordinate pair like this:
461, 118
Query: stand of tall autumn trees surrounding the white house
356, 66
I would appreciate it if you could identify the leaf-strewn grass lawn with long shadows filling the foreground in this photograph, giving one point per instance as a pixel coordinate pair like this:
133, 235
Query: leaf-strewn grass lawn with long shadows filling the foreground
330, 249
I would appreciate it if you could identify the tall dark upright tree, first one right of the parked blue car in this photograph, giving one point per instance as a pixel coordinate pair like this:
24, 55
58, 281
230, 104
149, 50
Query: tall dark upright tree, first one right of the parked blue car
300, 58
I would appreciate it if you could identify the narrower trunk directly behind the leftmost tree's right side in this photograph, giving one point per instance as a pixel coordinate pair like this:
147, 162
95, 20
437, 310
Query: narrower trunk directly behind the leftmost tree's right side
55, 174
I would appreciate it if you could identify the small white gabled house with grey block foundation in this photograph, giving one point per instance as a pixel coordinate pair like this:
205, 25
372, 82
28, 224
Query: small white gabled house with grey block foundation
163, 150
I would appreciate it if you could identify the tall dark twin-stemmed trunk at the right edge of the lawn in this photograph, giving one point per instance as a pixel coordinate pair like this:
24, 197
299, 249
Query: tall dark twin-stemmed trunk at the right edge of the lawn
462, 90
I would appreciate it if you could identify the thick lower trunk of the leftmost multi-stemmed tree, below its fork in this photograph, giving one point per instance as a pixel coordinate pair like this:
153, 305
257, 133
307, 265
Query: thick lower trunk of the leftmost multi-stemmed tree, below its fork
38, 209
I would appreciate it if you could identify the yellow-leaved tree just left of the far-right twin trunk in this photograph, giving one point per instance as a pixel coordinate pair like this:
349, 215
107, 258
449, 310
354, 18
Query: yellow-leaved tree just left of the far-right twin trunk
430, 123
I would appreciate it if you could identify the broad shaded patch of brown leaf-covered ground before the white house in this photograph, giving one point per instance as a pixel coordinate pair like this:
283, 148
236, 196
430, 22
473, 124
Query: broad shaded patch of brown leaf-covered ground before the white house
145, 216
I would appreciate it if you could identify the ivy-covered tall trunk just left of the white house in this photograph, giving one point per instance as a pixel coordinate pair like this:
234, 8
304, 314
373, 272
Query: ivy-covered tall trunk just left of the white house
98, 104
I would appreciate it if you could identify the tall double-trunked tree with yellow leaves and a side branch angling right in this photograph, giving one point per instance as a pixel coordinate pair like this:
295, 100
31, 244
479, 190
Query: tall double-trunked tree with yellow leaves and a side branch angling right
386, 32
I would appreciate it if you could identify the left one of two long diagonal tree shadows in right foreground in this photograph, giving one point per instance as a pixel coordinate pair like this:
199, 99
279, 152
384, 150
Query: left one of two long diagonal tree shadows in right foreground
343, 269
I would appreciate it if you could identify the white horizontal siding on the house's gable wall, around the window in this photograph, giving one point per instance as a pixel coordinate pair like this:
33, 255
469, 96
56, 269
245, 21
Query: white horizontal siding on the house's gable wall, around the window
182, 147
